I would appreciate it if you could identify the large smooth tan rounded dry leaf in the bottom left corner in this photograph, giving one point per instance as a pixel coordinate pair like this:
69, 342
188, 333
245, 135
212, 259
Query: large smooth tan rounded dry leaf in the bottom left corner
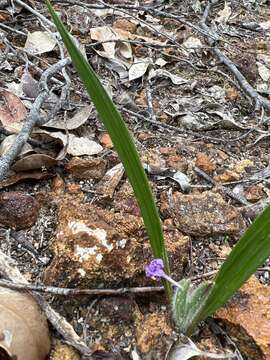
24, 330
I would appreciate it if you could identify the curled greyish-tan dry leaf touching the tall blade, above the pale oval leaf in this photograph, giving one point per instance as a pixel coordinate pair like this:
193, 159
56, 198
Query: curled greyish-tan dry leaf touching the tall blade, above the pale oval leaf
72, 123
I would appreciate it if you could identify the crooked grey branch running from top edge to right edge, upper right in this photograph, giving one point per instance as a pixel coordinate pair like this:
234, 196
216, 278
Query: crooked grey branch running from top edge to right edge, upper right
249, 90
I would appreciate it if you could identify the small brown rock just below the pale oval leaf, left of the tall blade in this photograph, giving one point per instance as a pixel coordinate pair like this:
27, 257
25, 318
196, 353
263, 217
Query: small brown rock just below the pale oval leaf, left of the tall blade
87, 169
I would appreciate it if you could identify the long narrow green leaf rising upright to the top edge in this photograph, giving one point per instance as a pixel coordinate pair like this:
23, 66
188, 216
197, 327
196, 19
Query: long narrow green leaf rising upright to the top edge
122, 141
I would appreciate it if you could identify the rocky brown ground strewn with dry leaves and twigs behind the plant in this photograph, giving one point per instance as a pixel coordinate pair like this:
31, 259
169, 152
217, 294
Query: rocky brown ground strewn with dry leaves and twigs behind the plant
192, 82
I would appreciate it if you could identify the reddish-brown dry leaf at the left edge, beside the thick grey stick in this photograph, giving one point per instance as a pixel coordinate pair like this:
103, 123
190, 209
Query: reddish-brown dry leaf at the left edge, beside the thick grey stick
13, 112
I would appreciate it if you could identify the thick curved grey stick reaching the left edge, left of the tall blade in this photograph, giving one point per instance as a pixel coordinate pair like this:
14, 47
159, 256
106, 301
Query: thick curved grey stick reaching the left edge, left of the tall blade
31, 120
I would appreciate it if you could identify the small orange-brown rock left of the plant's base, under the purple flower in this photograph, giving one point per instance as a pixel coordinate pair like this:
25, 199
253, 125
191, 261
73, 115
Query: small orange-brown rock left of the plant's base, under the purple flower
150, 329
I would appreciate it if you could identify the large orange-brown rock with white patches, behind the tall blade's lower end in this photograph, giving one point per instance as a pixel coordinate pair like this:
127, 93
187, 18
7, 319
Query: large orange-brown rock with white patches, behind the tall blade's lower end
94, 245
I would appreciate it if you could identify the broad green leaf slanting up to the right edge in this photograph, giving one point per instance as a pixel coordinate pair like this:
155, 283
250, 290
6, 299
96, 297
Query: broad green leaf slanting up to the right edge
249, 253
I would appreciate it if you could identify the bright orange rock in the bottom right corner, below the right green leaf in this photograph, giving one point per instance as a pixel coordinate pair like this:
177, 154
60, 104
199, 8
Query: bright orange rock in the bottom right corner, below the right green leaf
247, 319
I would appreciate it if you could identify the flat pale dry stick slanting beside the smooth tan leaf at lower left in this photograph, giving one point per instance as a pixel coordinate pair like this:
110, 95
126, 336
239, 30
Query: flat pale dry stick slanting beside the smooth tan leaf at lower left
9, 271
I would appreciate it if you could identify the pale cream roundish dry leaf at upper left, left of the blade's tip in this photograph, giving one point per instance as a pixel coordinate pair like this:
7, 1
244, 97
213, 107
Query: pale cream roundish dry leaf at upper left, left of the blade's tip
39, 42
